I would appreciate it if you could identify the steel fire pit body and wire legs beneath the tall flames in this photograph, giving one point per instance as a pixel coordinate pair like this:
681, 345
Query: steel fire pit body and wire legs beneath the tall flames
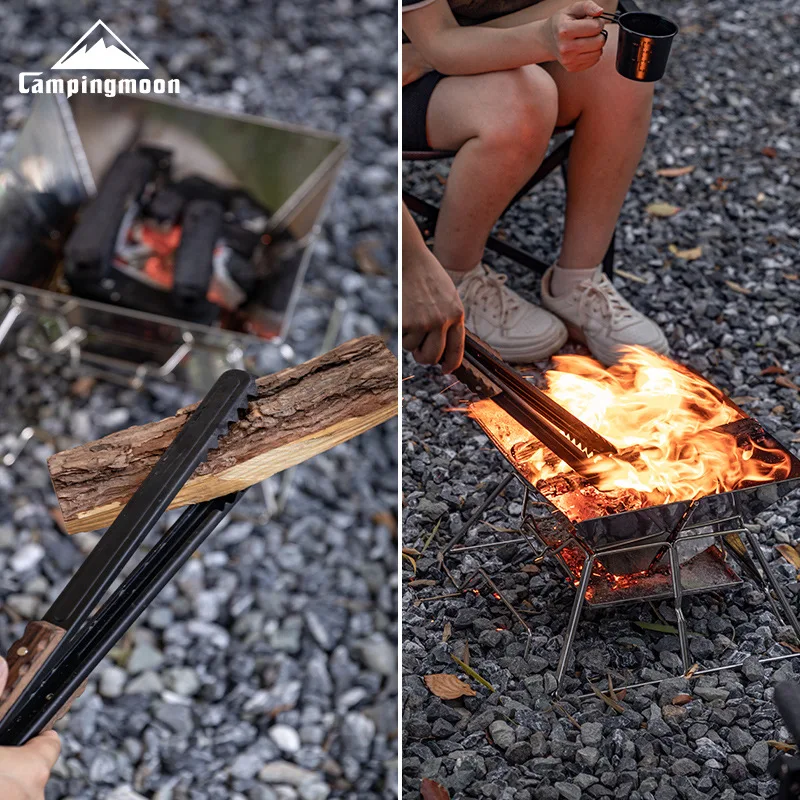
636, 555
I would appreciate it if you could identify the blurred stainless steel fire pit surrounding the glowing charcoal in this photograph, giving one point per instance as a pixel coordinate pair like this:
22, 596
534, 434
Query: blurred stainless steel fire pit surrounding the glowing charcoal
63, 152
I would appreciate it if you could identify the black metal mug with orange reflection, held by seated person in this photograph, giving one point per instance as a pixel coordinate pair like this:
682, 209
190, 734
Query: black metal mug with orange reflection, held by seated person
643, 45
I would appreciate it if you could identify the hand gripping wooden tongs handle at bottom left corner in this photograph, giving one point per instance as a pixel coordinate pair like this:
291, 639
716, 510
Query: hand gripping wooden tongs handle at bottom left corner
24, 771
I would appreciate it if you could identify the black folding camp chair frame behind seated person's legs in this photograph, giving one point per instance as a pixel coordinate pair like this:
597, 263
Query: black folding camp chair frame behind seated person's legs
428, 213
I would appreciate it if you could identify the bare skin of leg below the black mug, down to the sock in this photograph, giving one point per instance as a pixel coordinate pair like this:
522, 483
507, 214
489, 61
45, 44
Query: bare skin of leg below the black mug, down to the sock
613, 120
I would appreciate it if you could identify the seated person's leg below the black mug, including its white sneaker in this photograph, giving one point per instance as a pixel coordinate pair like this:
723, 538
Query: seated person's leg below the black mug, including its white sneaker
613, 119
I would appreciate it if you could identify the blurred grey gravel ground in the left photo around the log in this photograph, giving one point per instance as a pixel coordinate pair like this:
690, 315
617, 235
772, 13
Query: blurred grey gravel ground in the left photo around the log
267, 668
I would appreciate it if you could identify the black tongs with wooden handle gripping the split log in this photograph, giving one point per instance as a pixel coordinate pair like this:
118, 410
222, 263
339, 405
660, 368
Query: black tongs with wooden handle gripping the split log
50, 663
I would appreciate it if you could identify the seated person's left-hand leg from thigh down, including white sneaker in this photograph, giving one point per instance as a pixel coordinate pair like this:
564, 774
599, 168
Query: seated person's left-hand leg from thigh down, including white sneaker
500, 124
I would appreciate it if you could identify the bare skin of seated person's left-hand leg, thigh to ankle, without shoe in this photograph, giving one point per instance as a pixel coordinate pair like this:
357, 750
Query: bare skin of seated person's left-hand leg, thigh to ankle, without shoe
500, 124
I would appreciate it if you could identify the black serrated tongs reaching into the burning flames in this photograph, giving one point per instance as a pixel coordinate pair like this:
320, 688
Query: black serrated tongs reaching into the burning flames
485, 372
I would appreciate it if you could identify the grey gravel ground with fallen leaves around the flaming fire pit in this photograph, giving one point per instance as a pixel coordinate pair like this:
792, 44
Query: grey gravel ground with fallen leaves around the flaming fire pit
729, 108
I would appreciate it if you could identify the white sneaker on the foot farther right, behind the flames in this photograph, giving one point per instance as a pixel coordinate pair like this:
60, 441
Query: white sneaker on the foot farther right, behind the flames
599, 315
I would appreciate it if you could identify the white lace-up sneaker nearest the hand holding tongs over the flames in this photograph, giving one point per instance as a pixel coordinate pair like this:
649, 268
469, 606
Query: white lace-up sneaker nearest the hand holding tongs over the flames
520, 331
